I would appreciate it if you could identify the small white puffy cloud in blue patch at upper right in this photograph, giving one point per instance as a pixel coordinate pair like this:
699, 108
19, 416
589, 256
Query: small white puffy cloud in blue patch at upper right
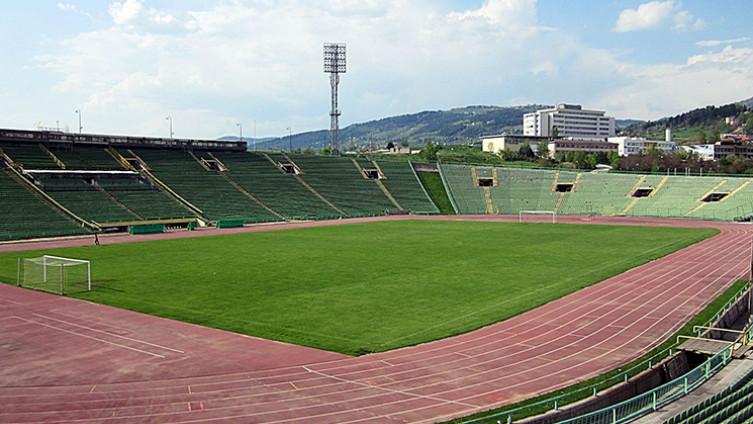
656, 14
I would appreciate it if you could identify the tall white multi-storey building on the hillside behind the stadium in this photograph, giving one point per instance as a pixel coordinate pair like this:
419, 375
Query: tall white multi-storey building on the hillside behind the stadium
570, 121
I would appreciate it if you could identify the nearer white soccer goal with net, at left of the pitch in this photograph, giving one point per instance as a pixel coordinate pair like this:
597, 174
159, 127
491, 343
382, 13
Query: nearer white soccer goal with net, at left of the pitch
55, 274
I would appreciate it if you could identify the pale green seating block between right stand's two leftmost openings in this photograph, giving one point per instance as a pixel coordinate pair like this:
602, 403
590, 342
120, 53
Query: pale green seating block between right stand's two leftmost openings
523, 189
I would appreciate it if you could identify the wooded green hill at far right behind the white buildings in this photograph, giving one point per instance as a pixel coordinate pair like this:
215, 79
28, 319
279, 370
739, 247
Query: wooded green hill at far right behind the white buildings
698, 125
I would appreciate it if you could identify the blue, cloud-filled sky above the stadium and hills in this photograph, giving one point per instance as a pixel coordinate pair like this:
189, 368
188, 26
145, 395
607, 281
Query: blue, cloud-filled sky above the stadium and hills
128, 64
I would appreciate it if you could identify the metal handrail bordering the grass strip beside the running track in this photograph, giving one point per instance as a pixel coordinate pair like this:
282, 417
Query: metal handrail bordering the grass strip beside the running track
554, 403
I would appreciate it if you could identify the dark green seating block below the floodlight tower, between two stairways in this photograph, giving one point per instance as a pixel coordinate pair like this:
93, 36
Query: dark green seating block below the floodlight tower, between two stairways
338, 180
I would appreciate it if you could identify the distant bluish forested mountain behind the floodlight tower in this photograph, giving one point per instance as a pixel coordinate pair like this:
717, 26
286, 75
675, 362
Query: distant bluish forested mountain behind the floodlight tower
460, 125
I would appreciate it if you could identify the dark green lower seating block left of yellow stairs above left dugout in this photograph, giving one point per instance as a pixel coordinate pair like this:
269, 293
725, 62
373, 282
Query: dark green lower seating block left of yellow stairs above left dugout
146, 201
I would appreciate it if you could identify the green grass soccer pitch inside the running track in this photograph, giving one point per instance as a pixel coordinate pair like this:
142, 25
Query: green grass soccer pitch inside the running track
365, 287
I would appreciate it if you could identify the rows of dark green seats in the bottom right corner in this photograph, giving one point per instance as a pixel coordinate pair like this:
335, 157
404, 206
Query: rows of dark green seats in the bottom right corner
732, 405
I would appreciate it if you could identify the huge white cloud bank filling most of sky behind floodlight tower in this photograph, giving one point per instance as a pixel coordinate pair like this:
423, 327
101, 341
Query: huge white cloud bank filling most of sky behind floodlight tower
261, 61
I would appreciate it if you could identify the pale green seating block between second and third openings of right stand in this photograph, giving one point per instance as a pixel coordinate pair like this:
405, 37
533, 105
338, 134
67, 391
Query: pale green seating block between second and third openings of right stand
598, 194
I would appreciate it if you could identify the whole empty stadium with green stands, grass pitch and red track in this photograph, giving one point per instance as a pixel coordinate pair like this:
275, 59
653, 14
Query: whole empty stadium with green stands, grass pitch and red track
176, 280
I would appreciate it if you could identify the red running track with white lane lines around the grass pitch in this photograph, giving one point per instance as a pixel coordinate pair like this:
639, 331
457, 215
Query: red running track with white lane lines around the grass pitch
66, 360
